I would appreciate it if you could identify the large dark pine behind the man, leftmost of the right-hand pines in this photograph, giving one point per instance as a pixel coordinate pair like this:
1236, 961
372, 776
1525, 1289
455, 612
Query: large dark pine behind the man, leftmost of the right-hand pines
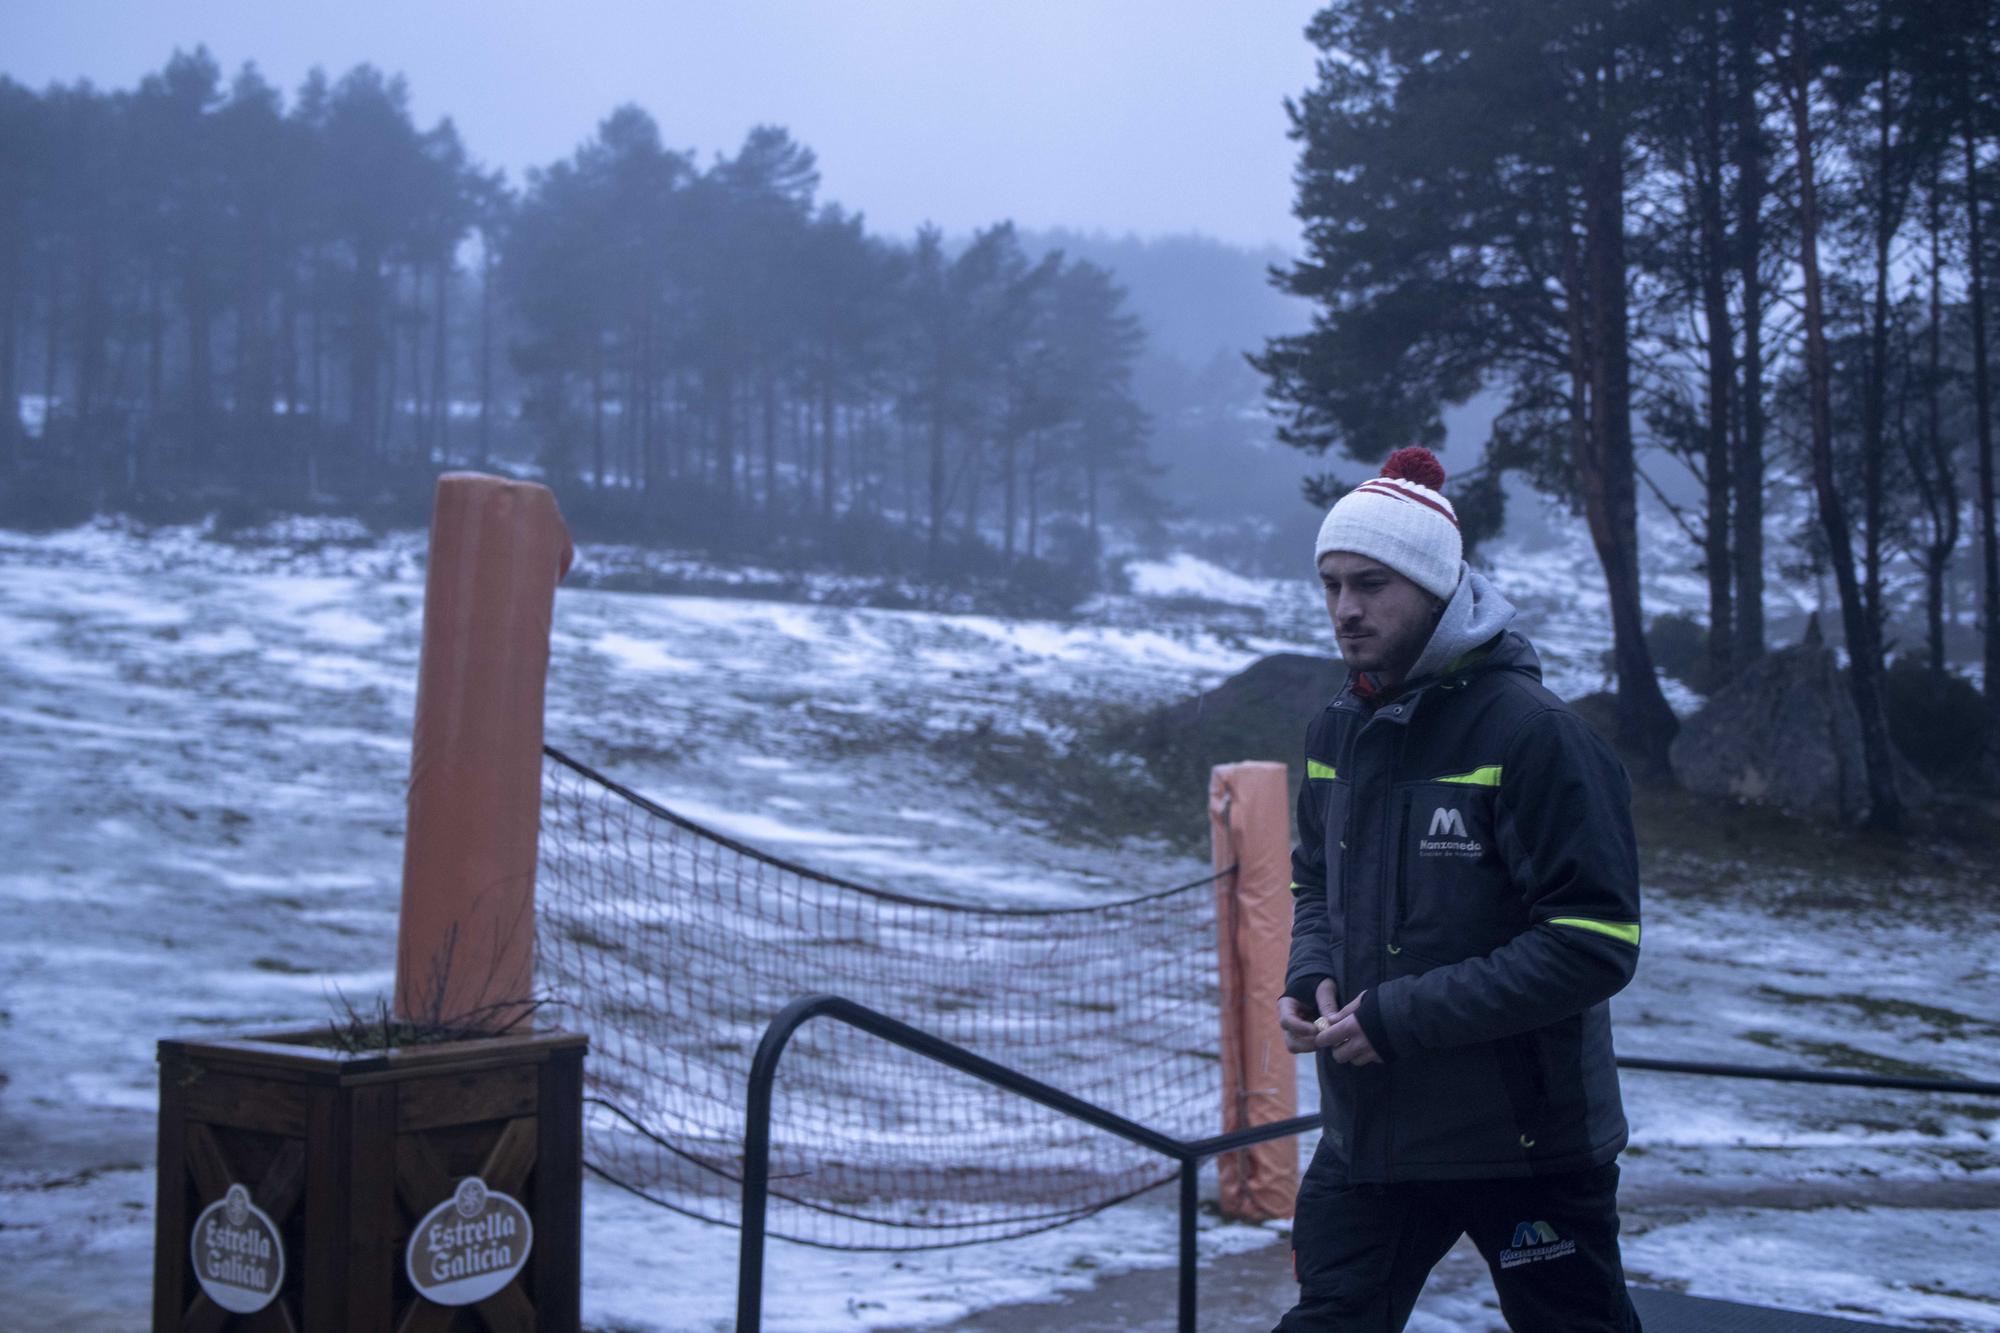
1463, 181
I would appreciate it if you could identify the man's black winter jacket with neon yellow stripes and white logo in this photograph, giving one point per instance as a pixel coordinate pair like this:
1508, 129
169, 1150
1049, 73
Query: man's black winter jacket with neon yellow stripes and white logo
1467, 860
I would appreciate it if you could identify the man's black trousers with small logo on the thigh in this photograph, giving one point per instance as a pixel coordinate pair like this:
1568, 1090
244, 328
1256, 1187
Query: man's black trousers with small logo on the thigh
1363, 1252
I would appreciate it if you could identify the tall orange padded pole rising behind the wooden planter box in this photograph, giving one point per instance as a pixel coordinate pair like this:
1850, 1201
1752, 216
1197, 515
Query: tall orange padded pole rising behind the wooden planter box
465, 950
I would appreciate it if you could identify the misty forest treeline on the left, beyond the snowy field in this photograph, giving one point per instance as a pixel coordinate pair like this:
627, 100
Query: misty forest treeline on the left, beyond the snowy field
213, 291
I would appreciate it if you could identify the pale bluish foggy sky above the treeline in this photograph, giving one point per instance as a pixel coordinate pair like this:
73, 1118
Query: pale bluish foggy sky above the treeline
1153, 117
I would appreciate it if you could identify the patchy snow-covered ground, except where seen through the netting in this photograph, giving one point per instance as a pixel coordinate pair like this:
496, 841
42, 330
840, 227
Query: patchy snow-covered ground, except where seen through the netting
201, 804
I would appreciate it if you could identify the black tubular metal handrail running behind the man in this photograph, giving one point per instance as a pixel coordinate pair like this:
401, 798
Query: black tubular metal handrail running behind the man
1187, 1152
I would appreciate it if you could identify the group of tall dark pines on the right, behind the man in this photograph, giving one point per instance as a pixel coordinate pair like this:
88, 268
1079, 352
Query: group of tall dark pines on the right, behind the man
1755, 235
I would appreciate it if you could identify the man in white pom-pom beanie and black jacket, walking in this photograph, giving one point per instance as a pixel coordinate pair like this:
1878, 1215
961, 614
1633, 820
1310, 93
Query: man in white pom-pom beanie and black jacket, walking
1465, 906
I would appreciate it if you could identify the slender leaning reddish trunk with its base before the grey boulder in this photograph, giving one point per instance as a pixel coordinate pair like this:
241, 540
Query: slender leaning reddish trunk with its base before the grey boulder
1865, 645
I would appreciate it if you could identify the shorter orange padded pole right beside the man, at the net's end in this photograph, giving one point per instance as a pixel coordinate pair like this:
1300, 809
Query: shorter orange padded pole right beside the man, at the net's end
1249, 818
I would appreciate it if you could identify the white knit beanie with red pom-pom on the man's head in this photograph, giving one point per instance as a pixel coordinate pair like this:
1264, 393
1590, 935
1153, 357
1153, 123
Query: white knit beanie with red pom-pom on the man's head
1403, 521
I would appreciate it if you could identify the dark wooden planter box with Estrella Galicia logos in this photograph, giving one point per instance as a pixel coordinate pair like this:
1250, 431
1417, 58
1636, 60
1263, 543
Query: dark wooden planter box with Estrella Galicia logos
347, 1154
